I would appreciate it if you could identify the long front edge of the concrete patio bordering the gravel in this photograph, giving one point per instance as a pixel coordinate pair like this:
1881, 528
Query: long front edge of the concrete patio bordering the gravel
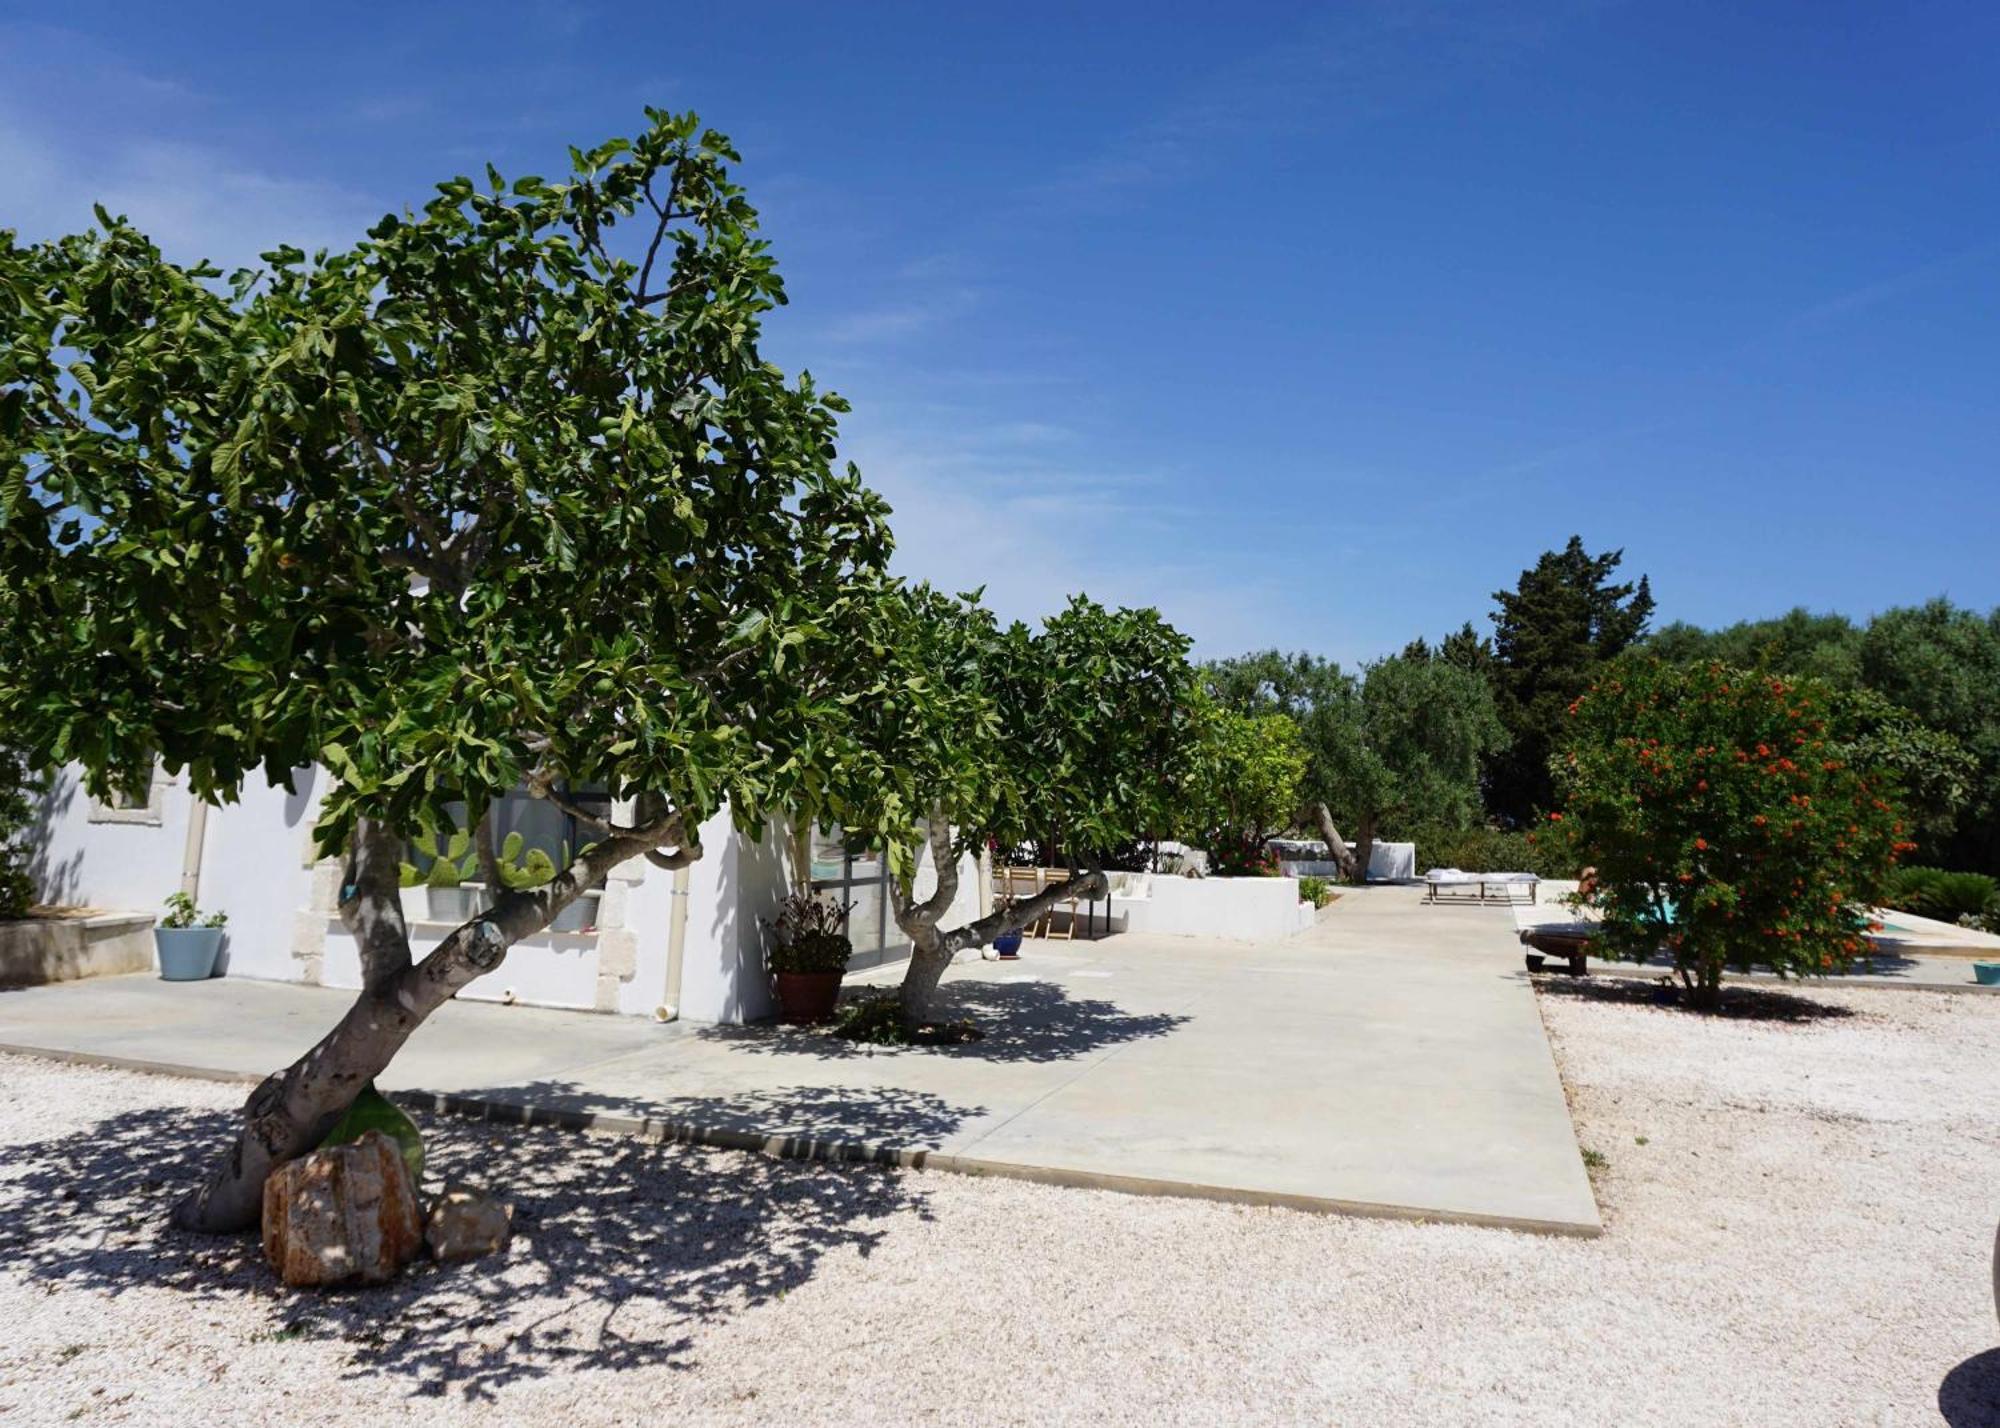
847, 1151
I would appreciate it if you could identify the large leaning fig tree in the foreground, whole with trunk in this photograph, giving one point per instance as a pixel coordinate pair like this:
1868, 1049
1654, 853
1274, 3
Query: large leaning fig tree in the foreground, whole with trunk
499, 497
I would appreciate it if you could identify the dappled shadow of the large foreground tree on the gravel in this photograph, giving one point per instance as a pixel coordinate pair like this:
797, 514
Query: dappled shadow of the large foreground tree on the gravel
623, 1249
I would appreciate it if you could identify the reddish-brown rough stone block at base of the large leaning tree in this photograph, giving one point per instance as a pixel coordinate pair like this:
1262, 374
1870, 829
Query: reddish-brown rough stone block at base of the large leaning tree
345, 1215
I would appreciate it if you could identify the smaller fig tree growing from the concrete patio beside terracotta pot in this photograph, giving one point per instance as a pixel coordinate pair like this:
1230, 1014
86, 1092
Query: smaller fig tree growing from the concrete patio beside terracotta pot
1073, 735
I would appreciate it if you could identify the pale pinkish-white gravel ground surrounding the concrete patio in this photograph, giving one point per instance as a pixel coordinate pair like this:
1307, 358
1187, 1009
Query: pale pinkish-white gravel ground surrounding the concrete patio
1799, 1229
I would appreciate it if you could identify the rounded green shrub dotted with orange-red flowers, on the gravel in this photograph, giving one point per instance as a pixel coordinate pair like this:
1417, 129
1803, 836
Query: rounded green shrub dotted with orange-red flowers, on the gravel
1727, 821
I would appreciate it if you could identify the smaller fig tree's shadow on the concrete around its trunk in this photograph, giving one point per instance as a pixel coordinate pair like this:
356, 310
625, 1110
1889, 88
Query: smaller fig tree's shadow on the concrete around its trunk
1019, 1023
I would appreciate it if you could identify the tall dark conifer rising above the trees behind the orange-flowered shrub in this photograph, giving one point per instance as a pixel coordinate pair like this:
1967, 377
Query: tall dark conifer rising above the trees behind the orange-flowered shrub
1553, 631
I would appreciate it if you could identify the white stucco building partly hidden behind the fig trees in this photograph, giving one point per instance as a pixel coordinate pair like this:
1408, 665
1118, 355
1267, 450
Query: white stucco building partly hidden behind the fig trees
655, 943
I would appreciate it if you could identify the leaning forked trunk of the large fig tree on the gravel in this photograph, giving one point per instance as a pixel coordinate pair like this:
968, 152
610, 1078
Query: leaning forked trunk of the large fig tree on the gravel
291, 1111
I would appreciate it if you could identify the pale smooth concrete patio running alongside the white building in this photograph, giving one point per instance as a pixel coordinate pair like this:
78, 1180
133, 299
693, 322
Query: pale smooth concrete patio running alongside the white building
1387, 1063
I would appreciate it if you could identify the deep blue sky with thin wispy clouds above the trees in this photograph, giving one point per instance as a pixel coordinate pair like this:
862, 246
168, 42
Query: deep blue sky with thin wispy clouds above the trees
1311, 325
